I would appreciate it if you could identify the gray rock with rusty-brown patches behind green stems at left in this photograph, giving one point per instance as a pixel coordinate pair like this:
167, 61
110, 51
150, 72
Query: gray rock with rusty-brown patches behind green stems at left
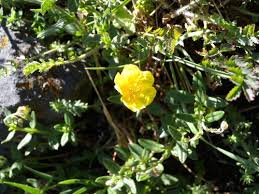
64, 82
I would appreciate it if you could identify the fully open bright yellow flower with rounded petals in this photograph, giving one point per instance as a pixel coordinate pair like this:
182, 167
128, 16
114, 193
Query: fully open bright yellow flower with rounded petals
135, 87
